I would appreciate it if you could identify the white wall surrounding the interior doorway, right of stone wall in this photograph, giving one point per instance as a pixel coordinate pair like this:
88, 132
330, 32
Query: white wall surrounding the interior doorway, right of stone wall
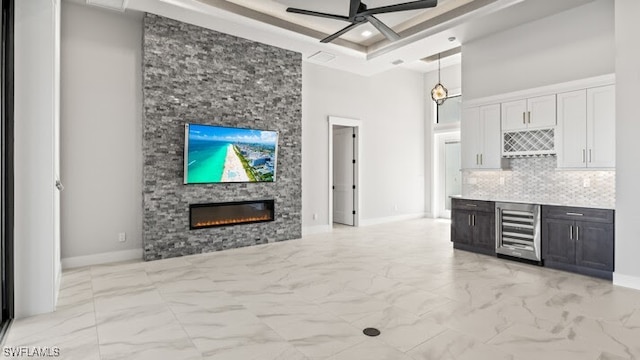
391, 107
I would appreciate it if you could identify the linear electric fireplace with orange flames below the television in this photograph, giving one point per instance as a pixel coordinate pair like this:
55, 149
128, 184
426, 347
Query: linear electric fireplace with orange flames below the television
230, 213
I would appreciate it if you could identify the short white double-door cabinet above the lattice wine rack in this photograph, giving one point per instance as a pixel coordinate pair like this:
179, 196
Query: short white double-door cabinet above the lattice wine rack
532, 113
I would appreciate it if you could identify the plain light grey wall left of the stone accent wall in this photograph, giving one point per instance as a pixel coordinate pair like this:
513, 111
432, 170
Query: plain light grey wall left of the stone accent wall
101, 132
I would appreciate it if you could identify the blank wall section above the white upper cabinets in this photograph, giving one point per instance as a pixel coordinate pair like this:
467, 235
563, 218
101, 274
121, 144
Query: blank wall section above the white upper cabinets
571, 45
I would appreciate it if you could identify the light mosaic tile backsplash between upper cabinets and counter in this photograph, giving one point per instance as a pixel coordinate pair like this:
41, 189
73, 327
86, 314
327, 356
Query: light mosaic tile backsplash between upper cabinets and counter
537, 180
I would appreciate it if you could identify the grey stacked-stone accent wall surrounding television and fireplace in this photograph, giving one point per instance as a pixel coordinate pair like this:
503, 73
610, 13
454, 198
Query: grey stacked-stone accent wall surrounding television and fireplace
196, 75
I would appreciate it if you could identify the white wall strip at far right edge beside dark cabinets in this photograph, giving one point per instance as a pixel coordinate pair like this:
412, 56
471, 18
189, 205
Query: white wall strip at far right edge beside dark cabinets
627, 273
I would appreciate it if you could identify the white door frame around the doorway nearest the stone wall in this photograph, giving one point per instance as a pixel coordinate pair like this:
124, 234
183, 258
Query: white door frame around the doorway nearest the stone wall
357, 129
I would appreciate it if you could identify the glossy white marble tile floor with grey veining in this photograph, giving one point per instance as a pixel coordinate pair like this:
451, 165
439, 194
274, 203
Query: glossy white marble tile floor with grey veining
311, 298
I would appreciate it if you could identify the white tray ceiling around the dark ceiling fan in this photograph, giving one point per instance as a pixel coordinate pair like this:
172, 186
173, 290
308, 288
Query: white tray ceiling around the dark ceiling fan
423, 32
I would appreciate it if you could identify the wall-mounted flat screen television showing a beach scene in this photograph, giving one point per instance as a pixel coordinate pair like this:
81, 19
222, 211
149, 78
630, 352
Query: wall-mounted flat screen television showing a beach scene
216, 154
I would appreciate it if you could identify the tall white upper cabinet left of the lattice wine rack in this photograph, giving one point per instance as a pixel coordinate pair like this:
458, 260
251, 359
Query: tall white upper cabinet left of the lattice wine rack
480, 137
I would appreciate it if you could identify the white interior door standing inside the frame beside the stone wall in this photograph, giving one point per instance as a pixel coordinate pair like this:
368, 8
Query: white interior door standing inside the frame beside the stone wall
343, 175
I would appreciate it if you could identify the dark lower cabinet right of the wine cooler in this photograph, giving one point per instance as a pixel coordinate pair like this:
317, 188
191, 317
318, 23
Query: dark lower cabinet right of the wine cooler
579, 240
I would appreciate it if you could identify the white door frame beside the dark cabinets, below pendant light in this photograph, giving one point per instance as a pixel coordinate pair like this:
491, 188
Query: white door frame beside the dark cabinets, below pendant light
441, 139
